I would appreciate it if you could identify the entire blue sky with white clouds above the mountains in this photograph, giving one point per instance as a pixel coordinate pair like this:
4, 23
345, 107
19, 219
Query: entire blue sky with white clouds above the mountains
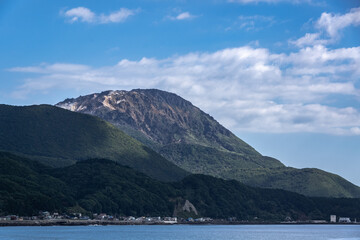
283, 75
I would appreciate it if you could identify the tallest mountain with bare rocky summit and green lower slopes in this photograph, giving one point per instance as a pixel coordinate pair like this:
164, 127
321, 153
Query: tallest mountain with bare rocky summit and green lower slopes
196, 142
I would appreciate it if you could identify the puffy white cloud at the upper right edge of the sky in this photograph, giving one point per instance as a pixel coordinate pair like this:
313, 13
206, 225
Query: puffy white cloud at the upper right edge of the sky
329, 26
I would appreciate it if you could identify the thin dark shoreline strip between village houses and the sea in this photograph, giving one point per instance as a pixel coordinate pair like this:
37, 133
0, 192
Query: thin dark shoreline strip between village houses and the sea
67, 222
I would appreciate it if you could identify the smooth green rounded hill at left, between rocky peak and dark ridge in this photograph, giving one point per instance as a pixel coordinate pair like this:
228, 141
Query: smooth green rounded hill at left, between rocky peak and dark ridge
57, 137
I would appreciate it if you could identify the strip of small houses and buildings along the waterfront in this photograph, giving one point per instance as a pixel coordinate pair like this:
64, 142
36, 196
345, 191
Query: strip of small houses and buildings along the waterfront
45, 218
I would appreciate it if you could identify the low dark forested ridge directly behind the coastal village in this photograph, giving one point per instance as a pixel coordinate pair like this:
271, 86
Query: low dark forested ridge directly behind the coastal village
103, 186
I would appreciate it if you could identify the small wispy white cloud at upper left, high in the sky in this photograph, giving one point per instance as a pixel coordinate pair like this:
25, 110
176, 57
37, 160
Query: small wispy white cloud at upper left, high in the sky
83, 14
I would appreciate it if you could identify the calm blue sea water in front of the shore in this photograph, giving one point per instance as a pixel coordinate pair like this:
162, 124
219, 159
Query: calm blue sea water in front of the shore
206, 232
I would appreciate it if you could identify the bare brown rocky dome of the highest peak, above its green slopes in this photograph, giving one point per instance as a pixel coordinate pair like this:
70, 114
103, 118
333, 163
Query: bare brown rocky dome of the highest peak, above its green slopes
160, 116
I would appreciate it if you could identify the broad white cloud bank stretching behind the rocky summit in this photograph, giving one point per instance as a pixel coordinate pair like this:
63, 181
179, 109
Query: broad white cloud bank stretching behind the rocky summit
245, 88
